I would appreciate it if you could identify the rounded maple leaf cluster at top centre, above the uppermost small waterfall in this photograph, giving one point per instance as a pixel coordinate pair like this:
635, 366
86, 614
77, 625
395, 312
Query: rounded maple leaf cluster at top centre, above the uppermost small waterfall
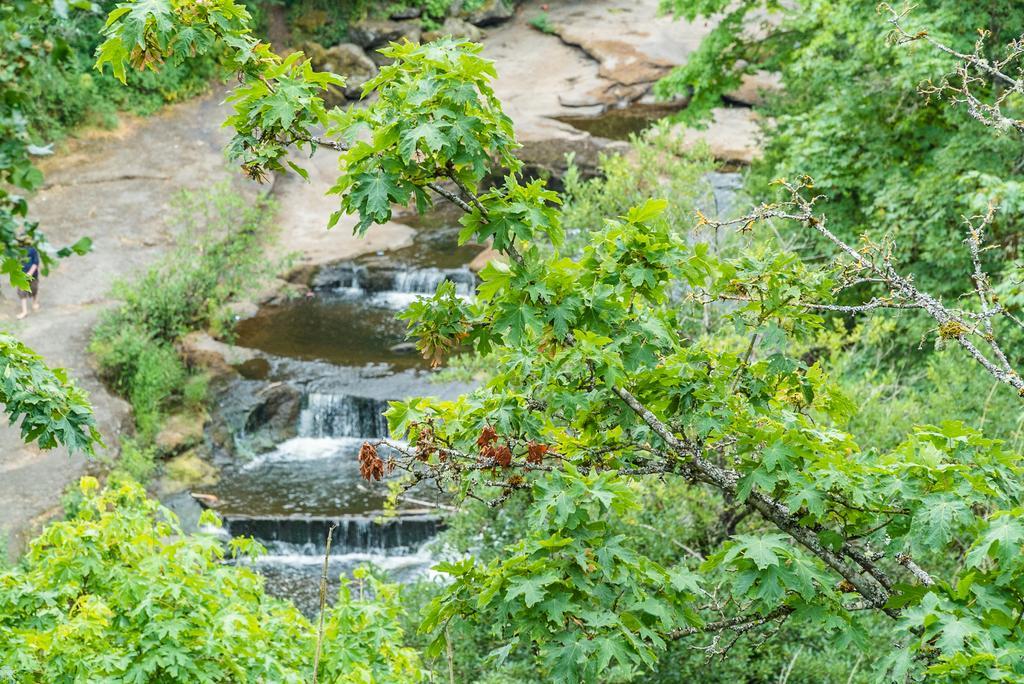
436, 117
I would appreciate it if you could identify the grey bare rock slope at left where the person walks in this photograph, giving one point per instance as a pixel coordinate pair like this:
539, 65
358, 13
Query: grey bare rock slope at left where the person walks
115, 188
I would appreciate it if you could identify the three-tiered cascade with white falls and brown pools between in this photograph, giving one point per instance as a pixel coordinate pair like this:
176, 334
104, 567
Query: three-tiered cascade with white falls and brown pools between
289, 497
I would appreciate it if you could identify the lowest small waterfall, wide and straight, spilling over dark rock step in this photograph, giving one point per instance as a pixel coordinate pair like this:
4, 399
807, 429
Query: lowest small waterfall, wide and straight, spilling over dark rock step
307, 536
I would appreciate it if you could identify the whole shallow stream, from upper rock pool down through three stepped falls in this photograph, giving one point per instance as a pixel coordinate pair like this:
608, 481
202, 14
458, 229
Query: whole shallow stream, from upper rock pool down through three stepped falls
324, 368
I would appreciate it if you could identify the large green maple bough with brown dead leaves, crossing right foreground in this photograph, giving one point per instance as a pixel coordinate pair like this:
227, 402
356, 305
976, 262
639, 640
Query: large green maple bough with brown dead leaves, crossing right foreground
615, 389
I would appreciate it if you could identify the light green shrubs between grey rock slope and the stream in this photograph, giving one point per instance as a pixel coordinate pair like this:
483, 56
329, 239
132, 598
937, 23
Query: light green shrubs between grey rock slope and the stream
219, 259
